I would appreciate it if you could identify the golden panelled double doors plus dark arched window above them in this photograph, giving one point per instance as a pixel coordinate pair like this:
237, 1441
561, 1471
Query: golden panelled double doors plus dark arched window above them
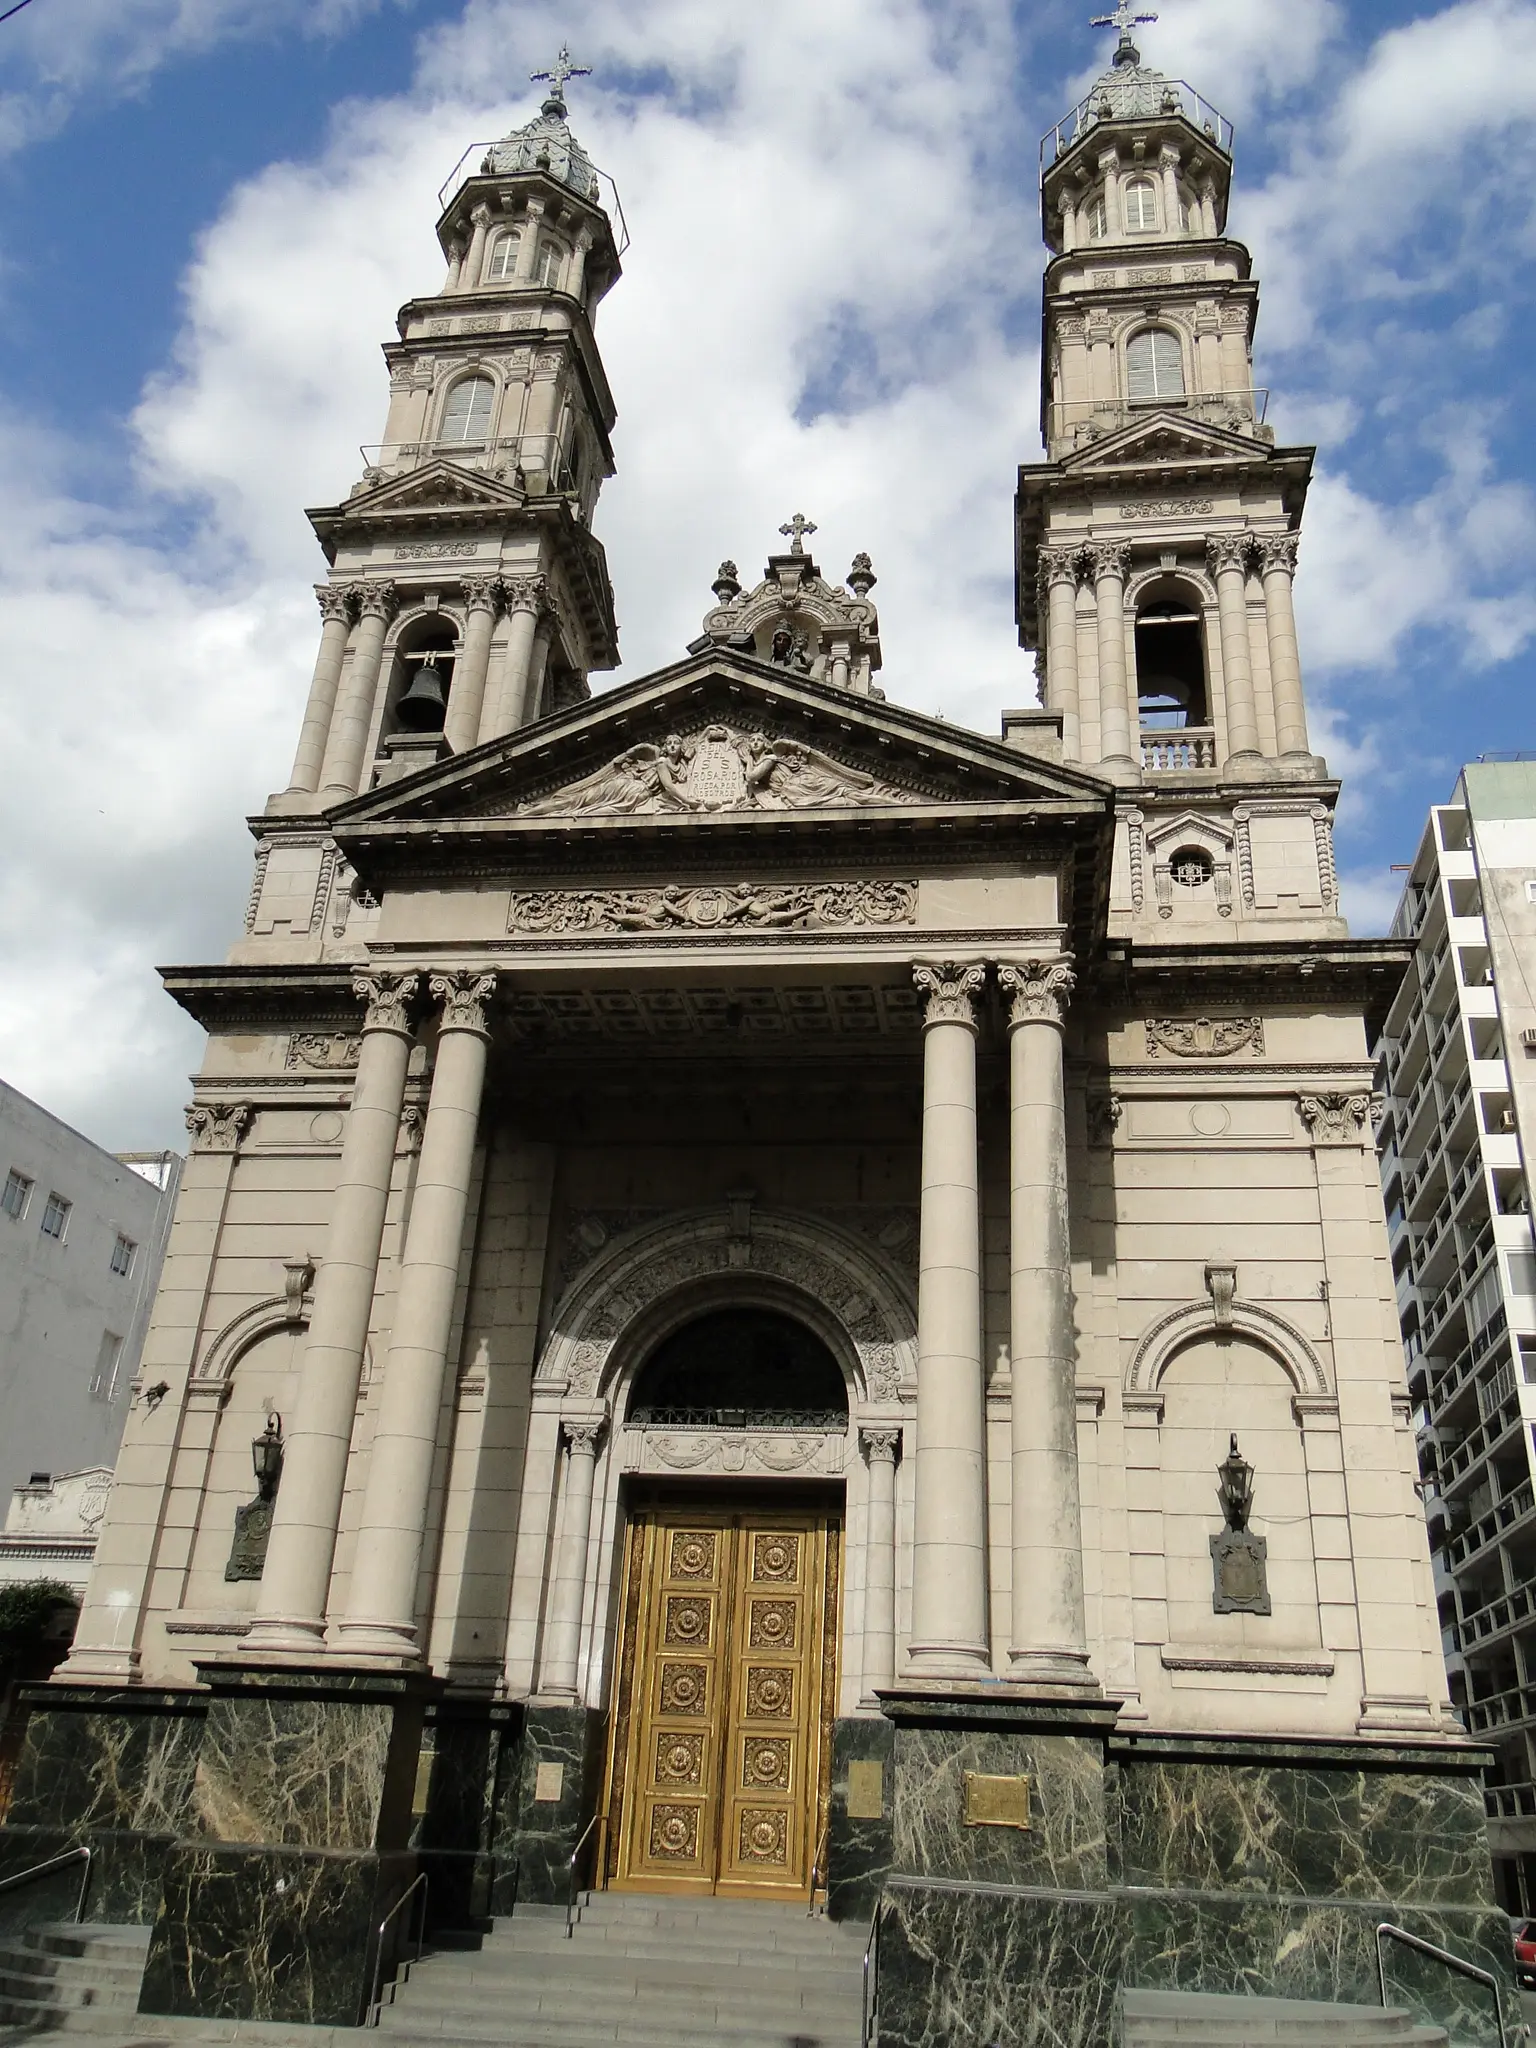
726, 1672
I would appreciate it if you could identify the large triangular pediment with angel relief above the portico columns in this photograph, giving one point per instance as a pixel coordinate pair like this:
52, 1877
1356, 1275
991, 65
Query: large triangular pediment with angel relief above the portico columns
722, 738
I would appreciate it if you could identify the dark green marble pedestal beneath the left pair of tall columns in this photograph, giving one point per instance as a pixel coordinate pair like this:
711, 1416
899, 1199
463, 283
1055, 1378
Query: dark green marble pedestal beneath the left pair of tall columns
294, 1846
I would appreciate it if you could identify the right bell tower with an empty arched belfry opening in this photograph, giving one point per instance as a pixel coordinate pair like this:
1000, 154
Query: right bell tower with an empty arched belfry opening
1158, 542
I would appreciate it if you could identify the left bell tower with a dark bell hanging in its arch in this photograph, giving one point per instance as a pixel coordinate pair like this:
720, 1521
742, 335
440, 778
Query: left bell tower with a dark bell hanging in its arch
466, 591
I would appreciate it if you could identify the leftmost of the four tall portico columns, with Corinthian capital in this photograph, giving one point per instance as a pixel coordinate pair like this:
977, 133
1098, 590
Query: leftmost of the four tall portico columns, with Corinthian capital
296, 1582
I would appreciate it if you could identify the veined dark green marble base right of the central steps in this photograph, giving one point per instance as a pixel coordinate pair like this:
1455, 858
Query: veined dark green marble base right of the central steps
1175, 1863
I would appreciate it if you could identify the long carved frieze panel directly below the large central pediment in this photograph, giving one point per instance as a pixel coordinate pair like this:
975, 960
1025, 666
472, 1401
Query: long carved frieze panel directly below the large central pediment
742, 906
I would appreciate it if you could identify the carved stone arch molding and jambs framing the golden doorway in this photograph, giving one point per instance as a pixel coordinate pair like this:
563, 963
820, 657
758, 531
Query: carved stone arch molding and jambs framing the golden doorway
636, 1293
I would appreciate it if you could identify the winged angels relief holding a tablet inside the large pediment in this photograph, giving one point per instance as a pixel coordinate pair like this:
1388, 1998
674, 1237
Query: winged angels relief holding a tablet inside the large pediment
714, 771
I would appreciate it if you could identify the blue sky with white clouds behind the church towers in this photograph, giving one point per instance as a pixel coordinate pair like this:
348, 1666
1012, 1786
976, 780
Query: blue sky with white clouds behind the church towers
210, 212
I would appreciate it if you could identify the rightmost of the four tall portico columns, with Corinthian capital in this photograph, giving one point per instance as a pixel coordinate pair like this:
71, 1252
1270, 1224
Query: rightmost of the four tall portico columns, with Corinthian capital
1050, 1637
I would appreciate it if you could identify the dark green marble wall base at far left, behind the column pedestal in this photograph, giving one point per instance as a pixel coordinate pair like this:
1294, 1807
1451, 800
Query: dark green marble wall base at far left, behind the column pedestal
110, 1768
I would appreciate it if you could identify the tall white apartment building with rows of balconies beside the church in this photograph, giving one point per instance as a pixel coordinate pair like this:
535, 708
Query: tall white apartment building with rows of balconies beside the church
1457, 1072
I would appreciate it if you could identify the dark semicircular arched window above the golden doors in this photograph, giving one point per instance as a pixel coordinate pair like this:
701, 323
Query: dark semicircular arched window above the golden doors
740, 1369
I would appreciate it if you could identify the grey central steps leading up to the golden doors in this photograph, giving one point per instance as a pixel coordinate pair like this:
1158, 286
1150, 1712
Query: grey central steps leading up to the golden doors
644, 1971
